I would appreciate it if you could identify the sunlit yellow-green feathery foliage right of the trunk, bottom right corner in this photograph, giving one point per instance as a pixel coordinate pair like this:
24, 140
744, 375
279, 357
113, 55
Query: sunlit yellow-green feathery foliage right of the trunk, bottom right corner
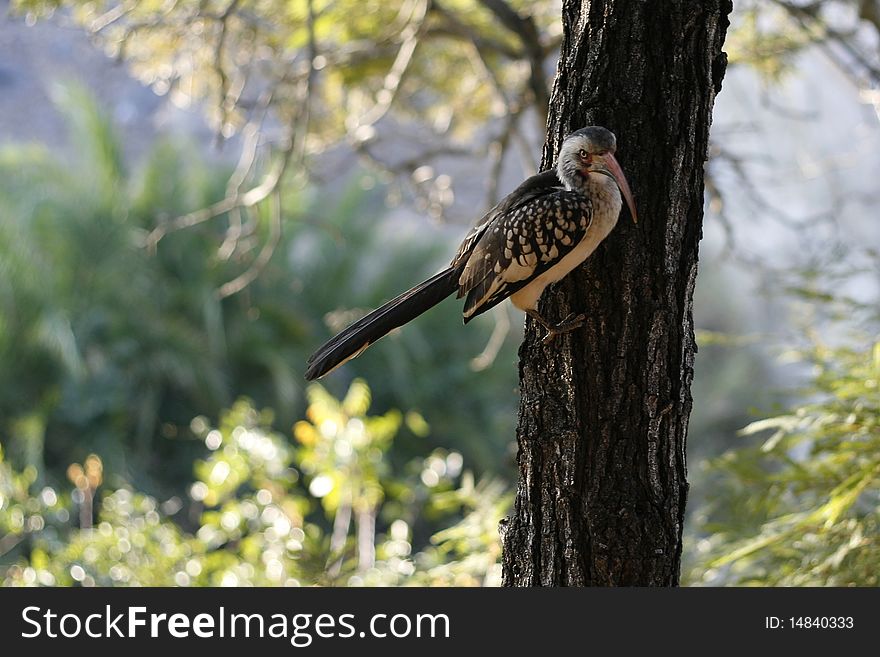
799, 506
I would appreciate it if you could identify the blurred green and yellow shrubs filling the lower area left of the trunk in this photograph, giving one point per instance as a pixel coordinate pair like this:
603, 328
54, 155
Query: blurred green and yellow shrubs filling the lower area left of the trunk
110, 350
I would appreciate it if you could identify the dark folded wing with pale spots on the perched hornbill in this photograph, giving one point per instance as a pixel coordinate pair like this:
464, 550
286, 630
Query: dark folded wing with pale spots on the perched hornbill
521, 244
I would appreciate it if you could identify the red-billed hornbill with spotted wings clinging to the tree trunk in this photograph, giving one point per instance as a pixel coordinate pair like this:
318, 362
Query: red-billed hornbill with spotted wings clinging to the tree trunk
533, 237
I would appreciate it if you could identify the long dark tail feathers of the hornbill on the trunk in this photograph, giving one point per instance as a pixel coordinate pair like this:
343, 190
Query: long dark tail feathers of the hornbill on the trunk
397, 312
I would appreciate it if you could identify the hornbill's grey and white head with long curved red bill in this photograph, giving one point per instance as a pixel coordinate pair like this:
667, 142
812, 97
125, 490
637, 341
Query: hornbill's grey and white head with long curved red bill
587, 153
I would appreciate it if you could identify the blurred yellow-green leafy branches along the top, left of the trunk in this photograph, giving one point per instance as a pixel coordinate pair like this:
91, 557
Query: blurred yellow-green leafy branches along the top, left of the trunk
348, 60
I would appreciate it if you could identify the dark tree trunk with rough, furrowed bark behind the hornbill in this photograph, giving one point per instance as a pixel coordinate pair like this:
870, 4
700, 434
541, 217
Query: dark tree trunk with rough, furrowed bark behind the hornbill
604, 411
